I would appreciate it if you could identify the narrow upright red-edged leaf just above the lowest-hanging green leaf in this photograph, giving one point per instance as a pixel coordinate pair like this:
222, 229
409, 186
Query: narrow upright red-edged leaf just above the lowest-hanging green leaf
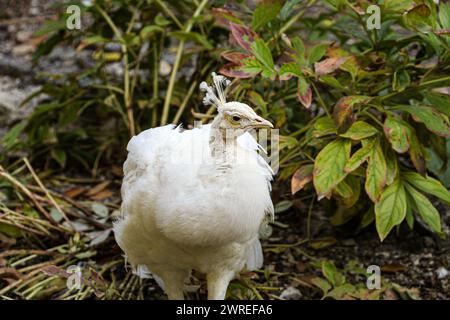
376, 173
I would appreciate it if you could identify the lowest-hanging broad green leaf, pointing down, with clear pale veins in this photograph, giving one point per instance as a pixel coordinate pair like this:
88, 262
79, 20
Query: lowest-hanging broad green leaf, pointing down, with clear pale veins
391, 209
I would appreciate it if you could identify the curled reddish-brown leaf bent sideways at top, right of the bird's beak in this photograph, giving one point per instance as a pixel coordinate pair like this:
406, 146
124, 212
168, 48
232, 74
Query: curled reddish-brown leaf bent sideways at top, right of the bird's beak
343, 111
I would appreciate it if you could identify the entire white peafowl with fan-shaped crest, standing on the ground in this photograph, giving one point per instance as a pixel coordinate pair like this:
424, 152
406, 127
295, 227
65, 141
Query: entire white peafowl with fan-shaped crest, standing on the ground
195, 199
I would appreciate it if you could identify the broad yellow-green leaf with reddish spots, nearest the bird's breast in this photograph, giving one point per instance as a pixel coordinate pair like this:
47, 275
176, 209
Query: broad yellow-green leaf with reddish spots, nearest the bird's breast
329, 166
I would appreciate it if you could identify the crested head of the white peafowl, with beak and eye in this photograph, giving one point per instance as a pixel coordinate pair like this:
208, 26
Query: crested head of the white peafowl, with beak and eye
231, 115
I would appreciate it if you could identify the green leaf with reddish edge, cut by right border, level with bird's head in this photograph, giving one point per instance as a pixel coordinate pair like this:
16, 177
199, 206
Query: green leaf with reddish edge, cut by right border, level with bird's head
430, 117
